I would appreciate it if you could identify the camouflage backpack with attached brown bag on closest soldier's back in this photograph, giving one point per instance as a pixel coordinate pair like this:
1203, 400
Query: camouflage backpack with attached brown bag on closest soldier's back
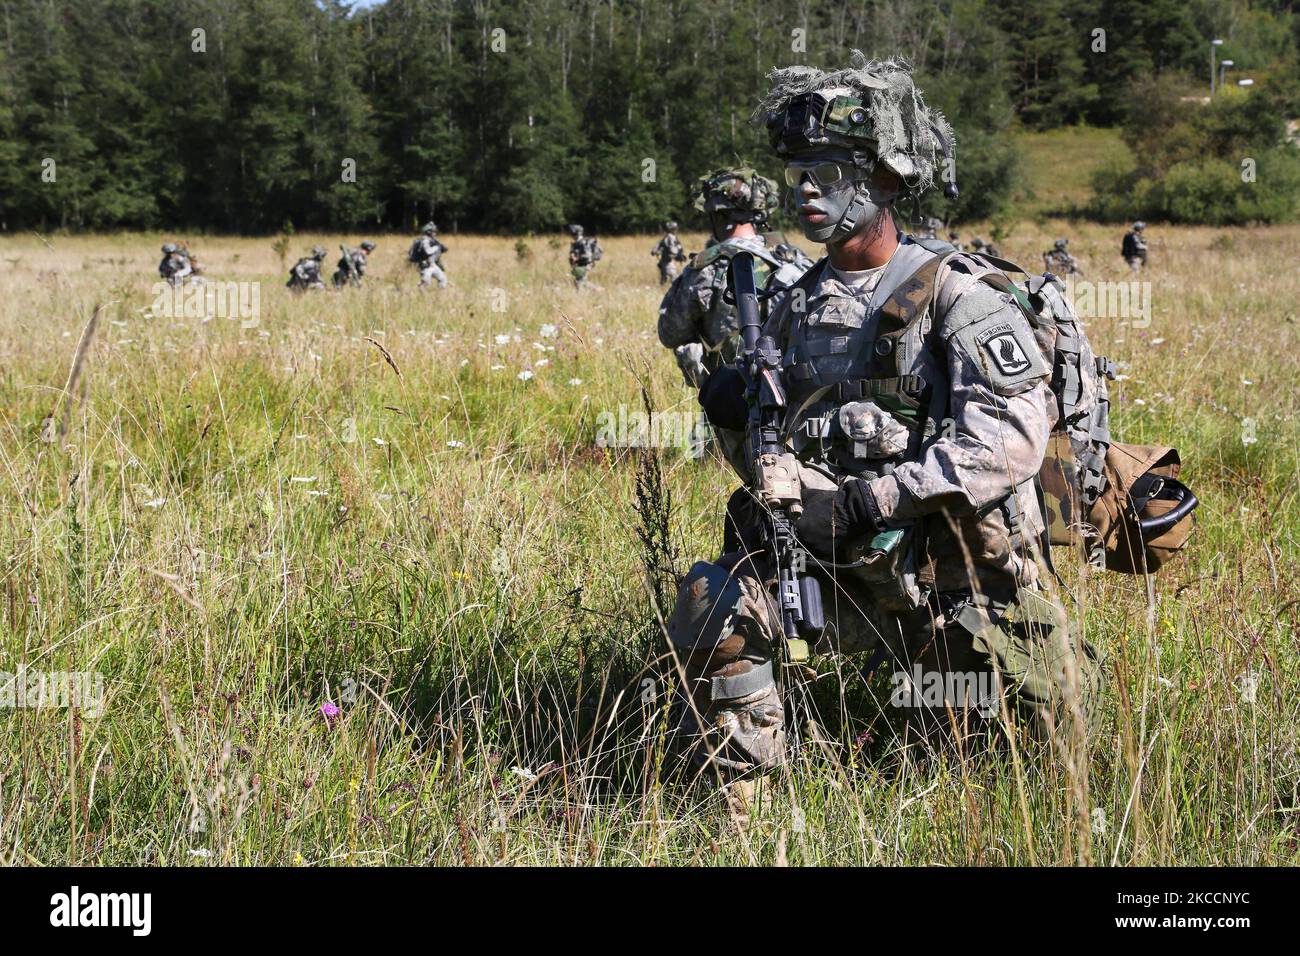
1123, 504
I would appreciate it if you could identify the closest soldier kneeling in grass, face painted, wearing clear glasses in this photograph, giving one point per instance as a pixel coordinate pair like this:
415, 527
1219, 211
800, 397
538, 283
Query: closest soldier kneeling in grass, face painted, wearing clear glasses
920, 410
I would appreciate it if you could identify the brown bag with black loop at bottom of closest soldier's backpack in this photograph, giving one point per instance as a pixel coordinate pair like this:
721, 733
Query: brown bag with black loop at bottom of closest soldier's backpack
1145, 516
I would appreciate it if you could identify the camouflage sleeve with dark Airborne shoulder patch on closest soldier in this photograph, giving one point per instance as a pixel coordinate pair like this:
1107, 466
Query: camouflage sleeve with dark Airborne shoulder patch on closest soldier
999, 412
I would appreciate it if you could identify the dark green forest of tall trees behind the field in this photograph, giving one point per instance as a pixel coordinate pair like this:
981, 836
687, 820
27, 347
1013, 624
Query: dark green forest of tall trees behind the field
255, 116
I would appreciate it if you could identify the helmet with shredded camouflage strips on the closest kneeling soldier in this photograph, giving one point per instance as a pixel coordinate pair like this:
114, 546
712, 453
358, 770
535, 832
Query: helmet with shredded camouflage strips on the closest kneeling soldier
870, 114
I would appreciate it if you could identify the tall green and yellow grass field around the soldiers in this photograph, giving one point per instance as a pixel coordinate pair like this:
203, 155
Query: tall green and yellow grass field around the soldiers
363, 500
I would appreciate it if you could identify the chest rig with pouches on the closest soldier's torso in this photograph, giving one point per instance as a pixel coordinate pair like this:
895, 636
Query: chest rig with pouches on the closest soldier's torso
865, 388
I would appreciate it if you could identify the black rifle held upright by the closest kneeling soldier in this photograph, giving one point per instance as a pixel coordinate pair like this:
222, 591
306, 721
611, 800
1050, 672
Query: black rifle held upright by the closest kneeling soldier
777, 475
